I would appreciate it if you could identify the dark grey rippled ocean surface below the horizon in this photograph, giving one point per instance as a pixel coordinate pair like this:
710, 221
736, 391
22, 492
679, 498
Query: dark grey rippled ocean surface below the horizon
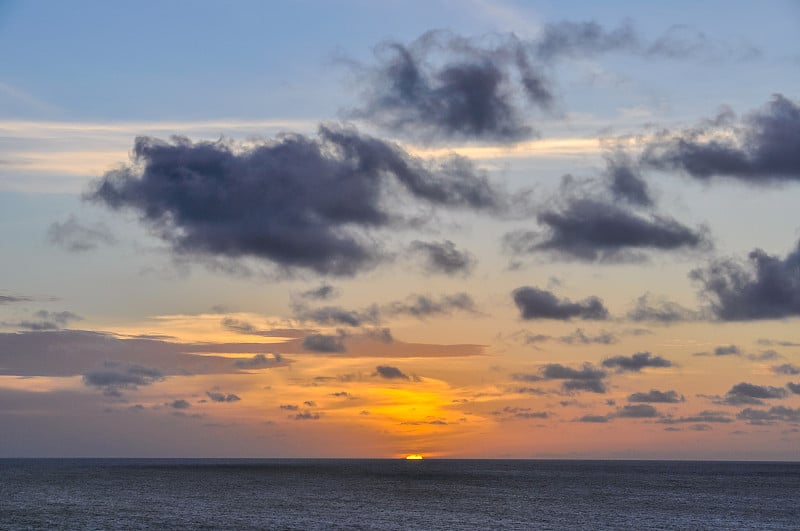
395, 494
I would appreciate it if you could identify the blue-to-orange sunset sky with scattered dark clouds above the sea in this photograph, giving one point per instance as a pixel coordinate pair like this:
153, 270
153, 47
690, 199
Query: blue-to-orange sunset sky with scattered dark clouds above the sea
461, 229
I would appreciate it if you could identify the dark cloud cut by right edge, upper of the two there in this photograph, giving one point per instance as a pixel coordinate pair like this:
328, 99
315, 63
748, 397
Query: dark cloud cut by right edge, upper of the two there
762, 147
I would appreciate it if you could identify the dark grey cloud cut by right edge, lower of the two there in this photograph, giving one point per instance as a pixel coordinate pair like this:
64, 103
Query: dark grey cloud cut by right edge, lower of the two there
767, 288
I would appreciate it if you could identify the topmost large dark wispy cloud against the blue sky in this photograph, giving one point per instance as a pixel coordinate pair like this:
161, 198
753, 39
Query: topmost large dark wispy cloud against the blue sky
446, 86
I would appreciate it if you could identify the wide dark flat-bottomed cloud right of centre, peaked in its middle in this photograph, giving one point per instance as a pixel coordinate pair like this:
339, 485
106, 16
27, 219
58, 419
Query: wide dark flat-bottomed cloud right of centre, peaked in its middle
587, 229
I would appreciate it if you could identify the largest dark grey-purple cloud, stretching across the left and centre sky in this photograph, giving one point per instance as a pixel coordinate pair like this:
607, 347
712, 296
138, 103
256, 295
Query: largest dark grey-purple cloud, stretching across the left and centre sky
297, 202
